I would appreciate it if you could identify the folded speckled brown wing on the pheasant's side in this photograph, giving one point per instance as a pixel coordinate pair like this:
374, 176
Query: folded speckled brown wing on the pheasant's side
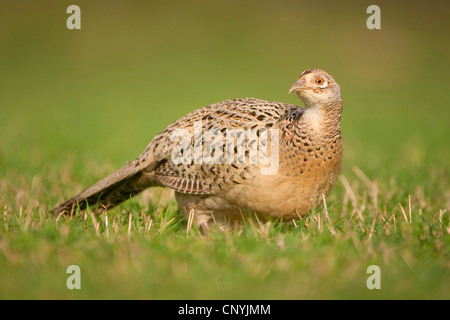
231, 118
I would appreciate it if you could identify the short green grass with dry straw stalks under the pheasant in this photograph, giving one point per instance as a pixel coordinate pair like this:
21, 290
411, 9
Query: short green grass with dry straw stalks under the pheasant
141, 251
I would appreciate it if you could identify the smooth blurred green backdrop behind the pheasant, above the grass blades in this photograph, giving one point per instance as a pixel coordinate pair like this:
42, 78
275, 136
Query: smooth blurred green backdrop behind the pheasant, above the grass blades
95, 97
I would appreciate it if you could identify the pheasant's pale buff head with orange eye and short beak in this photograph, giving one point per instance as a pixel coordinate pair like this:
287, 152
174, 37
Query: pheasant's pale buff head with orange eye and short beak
316, 87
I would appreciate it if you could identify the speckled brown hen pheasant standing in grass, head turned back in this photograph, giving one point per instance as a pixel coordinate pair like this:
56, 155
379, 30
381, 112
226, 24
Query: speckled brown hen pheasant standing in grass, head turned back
238, 158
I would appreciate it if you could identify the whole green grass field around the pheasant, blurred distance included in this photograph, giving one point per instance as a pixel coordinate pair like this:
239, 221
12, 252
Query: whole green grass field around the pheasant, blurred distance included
77, 104
